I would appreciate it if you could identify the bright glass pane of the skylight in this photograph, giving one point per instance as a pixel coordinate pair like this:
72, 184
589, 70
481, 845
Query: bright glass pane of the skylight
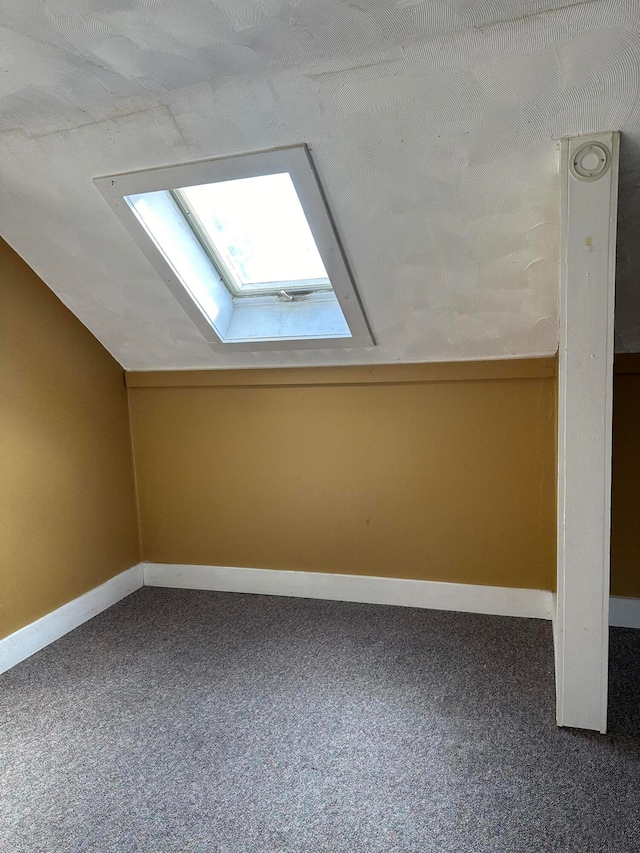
259, 229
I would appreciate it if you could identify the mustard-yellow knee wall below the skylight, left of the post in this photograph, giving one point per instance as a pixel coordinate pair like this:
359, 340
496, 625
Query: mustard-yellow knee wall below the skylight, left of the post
443, 472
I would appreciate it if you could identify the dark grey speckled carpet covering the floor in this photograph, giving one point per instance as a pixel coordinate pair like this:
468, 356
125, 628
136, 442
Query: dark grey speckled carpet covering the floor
219, 723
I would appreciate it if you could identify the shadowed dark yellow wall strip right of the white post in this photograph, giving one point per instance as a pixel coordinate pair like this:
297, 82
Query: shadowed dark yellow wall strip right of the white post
625, 510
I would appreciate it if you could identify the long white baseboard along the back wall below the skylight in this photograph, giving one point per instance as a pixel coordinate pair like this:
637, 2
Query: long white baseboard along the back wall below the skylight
435, 595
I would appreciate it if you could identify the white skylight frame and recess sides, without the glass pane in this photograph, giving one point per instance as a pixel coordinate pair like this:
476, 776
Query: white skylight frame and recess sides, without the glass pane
332, 318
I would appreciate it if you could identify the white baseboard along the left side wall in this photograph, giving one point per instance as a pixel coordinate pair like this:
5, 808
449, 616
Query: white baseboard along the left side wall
30, 639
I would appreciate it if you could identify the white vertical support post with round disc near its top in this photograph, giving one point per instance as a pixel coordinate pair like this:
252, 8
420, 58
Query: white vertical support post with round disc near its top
589, 175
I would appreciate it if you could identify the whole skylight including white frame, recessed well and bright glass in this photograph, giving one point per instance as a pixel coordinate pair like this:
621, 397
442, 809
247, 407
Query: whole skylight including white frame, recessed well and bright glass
247, 247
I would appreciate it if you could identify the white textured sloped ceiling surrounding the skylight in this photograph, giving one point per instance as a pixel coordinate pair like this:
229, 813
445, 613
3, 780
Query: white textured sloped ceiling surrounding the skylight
433, 126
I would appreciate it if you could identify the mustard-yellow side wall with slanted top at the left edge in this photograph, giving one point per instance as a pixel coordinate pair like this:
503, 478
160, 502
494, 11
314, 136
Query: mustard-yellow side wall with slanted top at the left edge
67, 504
